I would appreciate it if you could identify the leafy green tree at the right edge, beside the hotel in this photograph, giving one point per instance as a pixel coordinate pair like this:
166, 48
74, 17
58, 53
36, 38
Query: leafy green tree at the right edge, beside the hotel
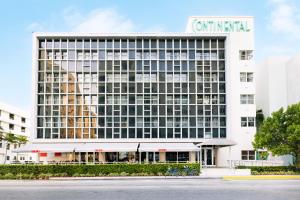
280, 133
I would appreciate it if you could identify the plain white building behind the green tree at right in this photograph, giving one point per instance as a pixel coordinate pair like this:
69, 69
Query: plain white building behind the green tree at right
277, 86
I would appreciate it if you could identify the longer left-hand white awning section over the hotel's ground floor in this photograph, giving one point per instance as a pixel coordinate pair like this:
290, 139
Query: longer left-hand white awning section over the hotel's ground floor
78, 147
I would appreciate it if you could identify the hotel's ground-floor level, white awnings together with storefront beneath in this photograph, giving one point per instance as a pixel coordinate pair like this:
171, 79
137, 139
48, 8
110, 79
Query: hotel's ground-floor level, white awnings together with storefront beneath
100, 153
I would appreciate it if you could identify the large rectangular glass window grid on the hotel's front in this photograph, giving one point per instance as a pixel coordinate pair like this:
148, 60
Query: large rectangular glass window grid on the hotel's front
133, 88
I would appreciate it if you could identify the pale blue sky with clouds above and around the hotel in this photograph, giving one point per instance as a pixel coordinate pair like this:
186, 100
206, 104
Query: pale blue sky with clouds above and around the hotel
277, 28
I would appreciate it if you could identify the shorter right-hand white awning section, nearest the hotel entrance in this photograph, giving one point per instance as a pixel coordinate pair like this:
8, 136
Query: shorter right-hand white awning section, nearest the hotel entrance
167, 147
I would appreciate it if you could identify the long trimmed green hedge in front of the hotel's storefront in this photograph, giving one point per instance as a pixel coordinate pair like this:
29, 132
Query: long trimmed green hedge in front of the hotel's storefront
46, 171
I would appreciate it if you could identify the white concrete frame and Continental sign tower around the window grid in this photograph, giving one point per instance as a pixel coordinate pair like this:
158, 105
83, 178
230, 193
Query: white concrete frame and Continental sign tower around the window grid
238, 33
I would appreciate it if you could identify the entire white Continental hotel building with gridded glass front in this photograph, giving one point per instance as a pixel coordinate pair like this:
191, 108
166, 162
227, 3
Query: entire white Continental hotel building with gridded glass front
139, 97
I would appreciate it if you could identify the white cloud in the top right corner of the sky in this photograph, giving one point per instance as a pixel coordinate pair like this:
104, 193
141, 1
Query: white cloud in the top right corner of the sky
285, 17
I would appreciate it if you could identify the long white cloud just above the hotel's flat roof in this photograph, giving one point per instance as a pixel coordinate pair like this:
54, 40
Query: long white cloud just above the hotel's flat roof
99, 20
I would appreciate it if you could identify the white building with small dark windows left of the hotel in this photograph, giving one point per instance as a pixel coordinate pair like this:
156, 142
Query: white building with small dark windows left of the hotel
15, 121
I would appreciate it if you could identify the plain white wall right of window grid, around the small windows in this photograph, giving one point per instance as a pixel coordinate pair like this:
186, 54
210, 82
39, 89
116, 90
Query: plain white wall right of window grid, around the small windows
236, 41
